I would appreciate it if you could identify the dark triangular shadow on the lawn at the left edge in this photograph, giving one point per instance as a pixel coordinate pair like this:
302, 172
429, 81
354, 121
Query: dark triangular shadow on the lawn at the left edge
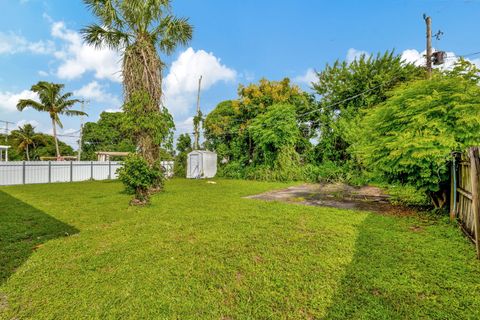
23, 229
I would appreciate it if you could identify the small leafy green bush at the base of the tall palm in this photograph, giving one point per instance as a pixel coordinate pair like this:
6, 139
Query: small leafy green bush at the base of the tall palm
138, 177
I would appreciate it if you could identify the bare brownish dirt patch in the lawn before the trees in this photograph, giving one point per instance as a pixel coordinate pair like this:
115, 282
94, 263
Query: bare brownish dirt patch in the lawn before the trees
337, 195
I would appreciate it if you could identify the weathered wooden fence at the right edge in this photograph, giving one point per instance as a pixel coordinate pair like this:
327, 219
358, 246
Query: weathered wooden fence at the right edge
465, 194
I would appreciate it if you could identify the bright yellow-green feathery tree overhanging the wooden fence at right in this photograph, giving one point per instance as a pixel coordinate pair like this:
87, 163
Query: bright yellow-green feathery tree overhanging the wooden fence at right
409, 138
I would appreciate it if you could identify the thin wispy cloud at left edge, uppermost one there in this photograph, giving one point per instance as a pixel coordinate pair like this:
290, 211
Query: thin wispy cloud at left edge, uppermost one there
11, 43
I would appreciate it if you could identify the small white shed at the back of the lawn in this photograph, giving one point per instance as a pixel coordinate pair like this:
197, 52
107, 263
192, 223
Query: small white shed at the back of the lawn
201, 164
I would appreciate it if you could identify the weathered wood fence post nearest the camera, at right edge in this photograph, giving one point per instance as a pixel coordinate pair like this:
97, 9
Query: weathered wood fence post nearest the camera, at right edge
474, 155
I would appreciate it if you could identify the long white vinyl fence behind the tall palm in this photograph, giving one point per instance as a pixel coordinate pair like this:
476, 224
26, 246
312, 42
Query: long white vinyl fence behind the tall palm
29, 172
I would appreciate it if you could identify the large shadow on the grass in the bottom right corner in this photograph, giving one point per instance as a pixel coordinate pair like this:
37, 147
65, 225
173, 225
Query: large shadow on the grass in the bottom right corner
402, 269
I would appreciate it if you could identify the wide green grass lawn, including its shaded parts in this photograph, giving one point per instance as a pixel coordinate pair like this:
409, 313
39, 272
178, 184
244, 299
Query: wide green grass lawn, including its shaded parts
202, 251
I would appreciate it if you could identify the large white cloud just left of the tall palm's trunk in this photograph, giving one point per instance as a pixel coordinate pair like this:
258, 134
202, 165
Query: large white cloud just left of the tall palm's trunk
78, 58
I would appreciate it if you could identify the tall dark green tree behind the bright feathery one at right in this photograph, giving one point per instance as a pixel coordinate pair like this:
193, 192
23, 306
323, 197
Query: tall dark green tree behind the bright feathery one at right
346, 88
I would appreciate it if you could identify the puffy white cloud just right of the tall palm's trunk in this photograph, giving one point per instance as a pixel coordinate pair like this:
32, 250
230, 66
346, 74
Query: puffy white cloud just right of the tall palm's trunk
181, 83
